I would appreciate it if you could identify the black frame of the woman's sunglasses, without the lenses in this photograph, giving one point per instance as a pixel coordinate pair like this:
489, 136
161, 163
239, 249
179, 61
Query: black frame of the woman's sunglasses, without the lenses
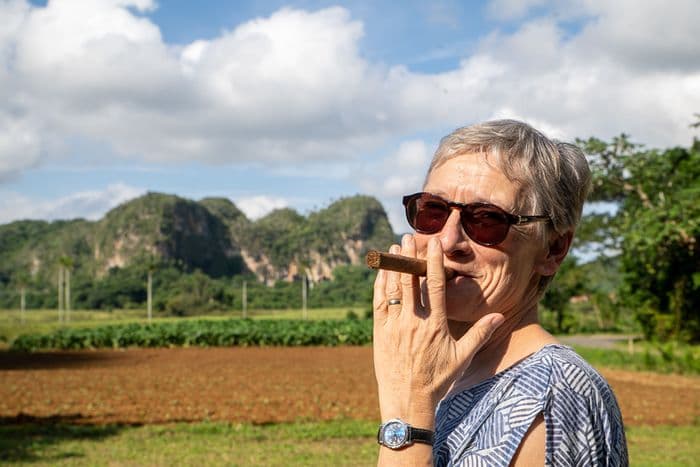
464, 209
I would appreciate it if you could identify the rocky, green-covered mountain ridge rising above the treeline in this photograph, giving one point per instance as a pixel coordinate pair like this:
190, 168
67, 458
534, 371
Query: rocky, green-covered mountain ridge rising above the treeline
211, 235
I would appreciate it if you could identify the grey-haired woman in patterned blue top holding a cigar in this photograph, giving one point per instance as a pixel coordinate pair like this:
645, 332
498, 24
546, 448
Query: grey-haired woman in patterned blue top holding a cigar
466, 374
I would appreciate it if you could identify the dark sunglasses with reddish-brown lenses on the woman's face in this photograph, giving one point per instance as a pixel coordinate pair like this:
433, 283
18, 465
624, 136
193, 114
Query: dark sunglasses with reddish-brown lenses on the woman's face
484, 223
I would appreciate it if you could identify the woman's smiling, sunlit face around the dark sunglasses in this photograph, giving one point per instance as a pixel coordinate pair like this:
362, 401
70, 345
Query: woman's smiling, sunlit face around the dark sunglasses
500, 278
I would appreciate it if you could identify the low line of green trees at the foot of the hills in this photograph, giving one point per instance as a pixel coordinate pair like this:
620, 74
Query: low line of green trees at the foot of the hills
179, 293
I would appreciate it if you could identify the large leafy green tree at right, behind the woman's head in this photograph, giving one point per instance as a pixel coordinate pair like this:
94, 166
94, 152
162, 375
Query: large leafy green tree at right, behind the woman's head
656, 229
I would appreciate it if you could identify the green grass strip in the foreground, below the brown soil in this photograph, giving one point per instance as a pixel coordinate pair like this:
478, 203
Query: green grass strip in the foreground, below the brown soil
342, 442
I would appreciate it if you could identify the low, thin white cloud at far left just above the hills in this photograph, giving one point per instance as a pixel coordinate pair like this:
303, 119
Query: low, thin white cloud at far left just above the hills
90, 205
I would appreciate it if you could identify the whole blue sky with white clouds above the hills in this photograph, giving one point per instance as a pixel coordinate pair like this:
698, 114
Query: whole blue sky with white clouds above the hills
299, 103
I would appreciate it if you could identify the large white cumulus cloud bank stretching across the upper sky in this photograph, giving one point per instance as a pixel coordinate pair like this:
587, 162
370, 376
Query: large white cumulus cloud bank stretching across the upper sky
294, 88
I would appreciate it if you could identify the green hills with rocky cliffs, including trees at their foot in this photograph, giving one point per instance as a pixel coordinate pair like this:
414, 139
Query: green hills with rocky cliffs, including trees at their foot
199, 251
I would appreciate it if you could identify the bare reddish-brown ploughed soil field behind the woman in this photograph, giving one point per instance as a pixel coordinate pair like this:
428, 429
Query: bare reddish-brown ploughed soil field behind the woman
258, 385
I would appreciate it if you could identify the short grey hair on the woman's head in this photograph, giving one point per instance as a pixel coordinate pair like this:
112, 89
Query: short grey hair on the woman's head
554, 176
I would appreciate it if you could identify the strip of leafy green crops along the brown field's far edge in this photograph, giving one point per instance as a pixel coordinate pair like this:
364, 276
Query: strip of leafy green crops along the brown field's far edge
204, 333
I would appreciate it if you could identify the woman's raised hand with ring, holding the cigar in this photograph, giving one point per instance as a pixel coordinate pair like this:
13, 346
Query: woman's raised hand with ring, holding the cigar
416, 359
